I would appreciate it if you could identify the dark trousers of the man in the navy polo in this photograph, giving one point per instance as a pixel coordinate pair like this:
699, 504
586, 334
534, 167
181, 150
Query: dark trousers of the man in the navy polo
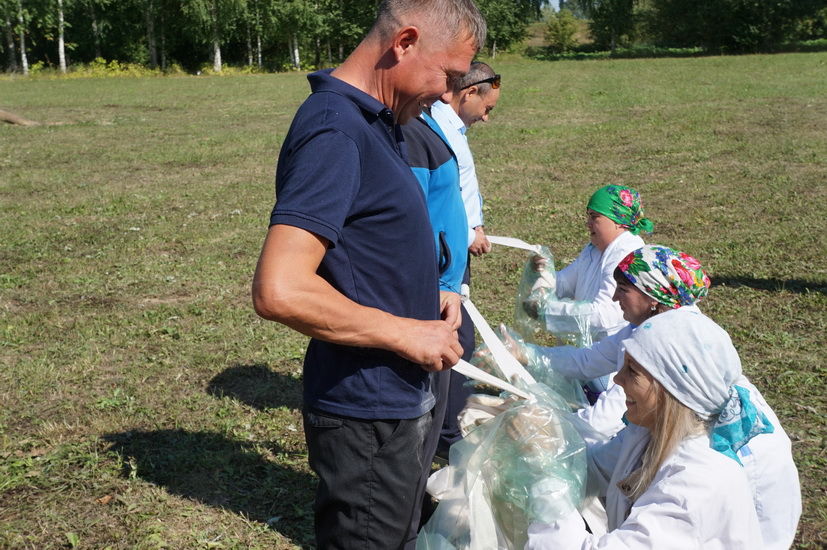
370, 472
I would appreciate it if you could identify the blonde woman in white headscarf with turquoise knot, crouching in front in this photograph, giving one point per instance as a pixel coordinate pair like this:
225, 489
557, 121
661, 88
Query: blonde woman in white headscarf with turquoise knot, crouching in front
673, 477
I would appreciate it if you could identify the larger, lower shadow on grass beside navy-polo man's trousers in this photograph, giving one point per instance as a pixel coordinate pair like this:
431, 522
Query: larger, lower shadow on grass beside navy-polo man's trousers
211, 469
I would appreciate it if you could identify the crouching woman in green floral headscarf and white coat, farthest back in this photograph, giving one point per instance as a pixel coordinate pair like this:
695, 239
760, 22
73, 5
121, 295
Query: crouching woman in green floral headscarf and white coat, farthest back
614, 218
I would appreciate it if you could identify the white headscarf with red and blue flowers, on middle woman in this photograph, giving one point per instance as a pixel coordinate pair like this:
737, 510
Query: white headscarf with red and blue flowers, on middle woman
671, 277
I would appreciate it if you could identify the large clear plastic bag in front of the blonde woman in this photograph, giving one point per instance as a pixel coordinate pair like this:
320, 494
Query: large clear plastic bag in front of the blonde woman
527, 463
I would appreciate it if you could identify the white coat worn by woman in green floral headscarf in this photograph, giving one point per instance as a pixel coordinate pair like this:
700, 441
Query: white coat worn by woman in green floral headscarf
589, 278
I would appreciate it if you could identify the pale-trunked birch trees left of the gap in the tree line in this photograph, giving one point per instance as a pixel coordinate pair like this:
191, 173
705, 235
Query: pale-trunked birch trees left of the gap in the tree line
264, 34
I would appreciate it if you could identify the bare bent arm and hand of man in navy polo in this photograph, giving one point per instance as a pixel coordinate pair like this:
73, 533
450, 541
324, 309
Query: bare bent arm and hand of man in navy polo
287, 289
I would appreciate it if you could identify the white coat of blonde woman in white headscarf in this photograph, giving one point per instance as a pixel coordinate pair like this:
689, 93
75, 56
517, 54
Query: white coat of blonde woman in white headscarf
699, 500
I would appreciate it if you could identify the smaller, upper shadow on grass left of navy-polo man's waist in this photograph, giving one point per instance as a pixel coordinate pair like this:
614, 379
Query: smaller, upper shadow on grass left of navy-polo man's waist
257, 386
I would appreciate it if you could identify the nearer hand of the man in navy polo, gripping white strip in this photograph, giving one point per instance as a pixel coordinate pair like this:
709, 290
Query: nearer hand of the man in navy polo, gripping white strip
431, 344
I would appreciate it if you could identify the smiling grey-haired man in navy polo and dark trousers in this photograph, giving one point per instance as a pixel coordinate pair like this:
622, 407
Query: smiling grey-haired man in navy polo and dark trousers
349, 260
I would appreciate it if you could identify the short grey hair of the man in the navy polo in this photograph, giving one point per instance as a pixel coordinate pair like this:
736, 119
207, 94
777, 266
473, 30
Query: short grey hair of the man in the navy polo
451, 20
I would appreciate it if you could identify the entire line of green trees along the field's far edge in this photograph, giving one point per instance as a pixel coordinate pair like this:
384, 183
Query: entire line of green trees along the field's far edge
194, 35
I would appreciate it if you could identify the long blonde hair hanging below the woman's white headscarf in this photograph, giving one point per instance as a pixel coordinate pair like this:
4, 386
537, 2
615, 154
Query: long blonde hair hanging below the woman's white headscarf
673, 422
